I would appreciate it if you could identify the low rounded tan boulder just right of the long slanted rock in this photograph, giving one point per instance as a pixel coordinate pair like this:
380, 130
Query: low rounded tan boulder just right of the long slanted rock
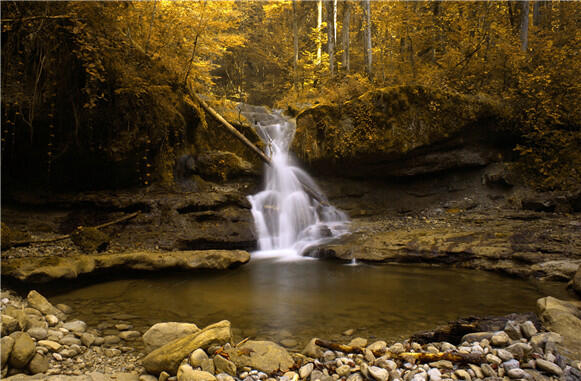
262, 355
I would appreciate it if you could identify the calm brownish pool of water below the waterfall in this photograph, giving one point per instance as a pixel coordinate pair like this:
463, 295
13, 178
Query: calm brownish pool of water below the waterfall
266, 299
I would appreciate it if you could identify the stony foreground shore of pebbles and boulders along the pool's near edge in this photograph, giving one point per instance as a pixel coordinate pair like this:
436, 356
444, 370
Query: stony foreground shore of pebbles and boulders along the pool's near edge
43, 341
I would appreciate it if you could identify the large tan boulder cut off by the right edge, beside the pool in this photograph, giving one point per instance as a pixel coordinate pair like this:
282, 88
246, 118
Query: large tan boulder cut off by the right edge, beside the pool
563, 317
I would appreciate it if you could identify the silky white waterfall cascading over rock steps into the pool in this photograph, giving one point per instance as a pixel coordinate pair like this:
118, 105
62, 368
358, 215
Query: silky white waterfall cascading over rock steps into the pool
288, 220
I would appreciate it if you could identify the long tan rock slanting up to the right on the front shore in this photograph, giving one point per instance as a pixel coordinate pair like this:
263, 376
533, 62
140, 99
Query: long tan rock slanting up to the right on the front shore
169, 356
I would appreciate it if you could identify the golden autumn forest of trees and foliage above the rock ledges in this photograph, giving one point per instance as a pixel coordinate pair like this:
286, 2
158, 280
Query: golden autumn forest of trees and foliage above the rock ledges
96, 84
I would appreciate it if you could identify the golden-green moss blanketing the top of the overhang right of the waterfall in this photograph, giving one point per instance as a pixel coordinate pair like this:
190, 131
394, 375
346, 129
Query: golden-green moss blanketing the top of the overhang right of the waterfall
392, 120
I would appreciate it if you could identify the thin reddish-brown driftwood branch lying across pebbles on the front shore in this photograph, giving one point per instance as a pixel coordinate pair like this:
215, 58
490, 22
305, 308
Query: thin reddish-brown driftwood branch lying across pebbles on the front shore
407, 356
